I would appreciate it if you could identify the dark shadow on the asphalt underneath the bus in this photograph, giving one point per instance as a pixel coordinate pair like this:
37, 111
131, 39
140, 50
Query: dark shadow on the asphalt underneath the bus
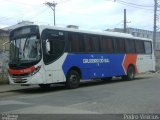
61, 87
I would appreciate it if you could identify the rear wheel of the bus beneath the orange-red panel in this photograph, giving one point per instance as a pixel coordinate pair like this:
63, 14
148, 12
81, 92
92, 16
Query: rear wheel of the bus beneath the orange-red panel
130, 73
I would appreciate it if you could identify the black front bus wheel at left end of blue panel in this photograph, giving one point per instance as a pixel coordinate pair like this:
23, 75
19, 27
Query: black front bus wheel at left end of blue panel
73, 79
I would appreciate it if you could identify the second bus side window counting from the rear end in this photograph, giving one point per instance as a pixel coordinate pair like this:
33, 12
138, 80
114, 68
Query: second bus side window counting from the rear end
140, 47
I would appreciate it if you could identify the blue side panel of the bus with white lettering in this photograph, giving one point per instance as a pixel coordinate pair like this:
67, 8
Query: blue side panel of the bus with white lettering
95, 65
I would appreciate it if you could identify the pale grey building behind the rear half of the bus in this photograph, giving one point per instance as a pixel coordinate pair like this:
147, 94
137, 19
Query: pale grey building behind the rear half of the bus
140, 33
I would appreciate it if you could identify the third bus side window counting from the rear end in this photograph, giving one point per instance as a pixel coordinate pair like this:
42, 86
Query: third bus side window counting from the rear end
130, 46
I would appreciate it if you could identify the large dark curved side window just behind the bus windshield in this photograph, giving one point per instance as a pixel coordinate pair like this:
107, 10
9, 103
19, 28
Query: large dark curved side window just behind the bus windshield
54, 44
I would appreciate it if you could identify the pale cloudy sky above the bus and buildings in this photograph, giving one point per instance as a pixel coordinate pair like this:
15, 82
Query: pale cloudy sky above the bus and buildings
87, 14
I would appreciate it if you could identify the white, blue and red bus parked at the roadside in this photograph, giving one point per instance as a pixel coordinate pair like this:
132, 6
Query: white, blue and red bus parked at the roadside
45, 55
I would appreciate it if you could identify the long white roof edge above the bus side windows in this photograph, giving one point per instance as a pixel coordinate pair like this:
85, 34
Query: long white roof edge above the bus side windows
106, 33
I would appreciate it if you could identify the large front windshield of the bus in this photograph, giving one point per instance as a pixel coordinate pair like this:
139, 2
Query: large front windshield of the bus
25, 50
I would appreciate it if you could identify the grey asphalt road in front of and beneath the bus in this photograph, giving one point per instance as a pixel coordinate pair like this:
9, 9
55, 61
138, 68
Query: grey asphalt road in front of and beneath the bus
141, 95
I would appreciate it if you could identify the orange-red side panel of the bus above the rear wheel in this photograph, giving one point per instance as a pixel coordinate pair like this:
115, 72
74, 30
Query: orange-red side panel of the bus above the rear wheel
130, 59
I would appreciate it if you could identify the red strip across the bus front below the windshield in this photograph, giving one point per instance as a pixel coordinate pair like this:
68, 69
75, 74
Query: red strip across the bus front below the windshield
22, 71
